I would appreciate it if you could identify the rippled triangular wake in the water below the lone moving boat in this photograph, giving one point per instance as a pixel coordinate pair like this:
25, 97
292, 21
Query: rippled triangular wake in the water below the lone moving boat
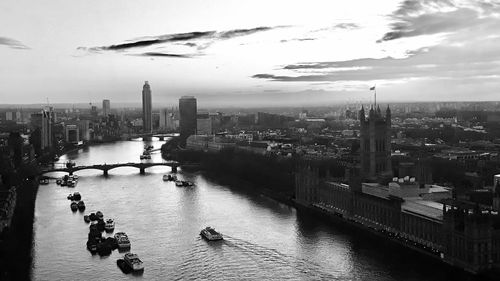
237, 259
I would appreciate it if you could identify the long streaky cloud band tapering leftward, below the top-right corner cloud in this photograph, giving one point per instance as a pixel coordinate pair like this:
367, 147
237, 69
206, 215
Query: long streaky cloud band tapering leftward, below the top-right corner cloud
473, 58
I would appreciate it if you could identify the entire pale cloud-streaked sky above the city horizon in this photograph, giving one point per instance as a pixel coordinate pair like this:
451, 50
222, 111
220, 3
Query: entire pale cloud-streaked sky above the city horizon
249, 53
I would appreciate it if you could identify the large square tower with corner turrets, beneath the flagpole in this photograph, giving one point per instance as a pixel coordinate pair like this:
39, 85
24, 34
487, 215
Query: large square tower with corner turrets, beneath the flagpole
375, 143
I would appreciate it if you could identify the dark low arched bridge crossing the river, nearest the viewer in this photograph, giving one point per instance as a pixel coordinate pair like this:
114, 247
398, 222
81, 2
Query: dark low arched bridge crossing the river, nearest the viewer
106, 167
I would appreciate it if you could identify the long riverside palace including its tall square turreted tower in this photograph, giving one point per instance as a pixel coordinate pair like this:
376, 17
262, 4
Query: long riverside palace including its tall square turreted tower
405, 209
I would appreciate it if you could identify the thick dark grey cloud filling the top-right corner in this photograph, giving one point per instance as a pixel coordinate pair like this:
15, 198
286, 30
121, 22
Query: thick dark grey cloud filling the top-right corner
427, 17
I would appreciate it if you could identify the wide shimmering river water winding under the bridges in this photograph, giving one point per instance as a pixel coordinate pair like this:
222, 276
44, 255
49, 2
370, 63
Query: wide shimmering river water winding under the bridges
263, 239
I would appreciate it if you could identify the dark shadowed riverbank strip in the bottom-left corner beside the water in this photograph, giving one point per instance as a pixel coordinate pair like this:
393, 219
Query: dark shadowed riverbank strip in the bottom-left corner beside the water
16, 248
